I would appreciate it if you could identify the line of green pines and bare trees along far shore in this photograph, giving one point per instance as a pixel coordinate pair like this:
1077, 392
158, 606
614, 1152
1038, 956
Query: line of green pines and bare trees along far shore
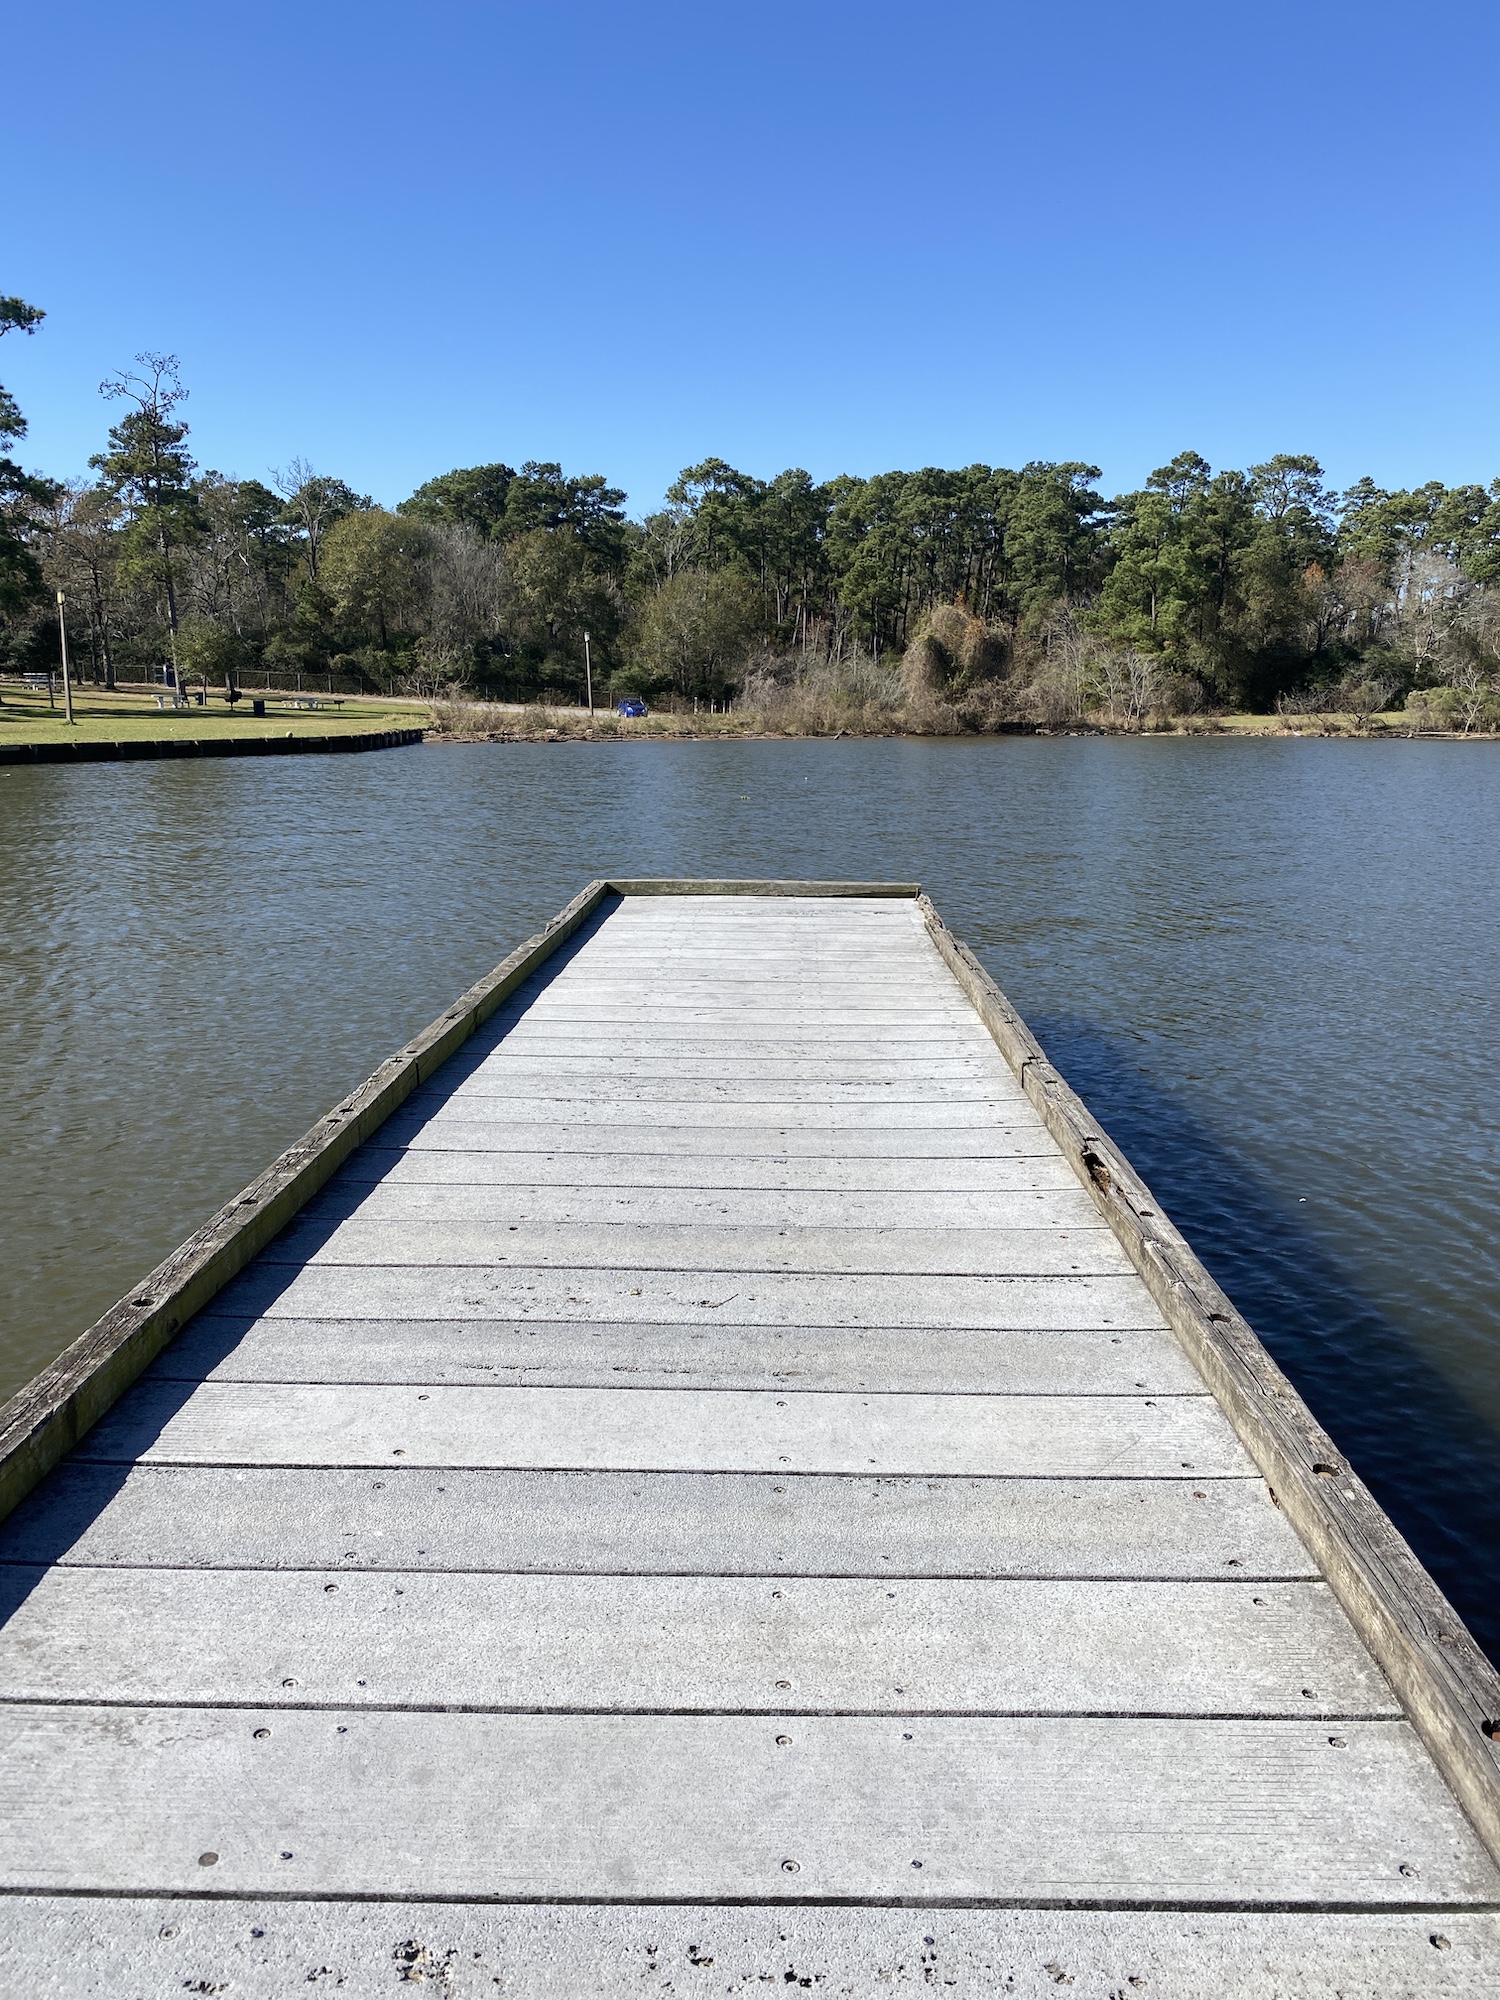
1233, 589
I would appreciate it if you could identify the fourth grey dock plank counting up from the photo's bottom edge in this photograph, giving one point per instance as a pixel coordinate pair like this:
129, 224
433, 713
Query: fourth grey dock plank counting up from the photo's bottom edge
655, 1523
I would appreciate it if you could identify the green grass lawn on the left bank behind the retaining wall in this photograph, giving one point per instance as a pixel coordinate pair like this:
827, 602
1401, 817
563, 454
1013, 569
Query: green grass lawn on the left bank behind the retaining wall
121, 717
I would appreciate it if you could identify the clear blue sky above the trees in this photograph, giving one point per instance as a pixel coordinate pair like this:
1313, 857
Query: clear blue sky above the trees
845, 237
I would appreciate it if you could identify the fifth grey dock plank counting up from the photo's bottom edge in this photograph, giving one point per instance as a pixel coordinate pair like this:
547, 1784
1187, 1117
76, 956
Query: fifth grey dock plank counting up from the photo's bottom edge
671, 1431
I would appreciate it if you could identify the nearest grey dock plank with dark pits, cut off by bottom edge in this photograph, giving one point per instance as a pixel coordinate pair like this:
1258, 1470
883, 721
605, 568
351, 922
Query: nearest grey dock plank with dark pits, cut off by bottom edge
159, 1949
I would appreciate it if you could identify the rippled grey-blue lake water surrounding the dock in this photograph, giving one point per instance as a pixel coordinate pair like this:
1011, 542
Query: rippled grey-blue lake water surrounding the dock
1271, 967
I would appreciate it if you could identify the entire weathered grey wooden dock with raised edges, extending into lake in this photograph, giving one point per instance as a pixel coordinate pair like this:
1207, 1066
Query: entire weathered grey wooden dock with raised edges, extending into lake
711, 1475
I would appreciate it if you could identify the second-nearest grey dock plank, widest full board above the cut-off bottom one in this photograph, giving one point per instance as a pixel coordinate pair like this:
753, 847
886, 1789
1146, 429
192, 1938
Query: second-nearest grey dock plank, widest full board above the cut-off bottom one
581, 1807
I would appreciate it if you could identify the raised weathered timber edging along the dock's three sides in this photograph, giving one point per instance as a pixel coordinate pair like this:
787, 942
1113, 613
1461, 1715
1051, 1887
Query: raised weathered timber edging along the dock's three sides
1445, 1683
